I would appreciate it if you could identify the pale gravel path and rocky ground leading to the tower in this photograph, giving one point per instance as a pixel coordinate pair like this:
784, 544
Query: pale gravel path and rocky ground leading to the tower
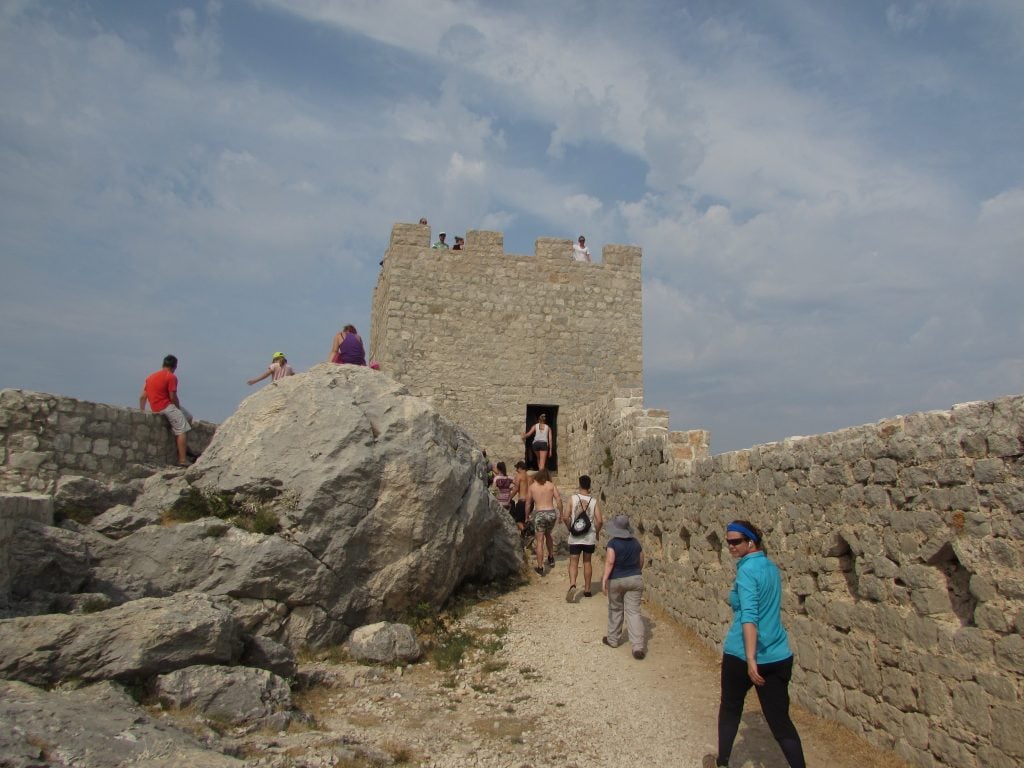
536, 688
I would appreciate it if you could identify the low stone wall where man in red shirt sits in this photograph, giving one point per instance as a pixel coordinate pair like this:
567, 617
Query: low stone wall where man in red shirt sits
47, 437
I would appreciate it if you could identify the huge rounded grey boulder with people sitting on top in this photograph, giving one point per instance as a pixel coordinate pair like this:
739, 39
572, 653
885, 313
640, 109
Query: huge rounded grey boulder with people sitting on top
362, 500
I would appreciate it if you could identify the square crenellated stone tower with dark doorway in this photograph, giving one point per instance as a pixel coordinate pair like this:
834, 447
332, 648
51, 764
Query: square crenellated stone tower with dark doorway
494, 339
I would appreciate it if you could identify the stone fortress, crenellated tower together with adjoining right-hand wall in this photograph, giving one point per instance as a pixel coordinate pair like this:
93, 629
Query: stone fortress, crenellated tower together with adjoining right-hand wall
901, 543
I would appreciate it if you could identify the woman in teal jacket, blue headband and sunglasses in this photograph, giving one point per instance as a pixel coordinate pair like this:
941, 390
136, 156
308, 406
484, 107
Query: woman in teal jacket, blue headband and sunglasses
756, 650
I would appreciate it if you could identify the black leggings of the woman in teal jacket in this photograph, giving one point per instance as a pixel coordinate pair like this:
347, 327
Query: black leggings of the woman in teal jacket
775, 698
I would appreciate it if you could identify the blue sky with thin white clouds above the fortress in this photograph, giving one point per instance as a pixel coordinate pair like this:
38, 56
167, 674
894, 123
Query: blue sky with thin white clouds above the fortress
829, 195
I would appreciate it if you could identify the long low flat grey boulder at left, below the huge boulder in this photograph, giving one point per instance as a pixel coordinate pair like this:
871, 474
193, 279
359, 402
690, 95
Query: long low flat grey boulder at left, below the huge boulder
130, 644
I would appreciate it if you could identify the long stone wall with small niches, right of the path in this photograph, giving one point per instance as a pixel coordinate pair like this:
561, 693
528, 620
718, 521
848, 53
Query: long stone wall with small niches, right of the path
901, 543
